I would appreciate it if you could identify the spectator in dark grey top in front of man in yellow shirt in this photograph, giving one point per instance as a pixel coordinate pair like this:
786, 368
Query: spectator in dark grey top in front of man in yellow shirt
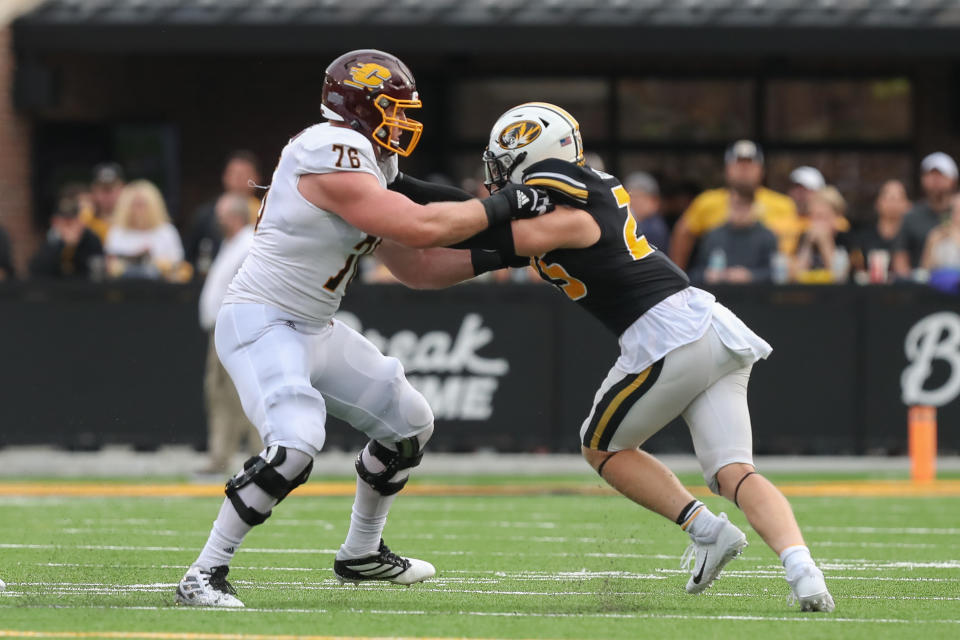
740, 251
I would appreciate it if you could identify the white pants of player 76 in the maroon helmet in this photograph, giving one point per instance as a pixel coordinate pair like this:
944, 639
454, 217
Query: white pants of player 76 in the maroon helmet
290, 373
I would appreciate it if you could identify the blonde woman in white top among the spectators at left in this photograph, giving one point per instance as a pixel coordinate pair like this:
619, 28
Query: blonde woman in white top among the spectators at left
141, 242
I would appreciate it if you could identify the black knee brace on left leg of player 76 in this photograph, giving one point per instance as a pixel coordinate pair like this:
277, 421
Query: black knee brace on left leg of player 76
262, 471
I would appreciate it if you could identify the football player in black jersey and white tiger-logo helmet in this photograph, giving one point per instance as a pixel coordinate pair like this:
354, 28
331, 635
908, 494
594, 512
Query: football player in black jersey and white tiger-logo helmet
682, 353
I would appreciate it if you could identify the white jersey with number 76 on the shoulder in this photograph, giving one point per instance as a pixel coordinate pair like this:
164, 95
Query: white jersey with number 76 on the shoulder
302, 256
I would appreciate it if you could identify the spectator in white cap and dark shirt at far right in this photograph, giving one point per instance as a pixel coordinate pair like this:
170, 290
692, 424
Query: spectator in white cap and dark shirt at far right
938, 180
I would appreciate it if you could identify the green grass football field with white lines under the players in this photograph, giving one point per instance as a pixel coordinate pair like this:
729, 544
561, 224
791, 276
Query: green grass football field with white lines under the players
551, 563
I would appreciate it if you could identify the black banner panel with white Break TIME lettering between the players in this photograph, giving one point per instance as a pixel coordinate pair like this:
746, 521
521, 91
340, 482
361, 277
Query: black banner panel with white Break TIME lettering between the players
482, 362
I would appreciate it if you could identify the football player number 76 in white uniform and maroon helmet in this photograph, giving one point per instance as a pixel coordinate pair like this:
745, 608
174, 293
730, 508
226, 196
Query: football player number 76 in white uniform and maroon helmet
291, 362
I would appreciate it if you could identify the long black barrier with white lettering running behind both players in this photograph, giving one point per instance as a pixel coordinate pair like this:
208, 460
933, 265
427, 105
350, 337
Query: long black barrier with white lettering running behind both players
508, 367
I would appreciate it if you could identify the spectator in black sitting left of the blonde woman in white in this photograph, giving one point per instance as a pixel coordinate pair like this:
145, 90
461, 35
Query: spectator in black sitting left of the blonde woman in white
70, 249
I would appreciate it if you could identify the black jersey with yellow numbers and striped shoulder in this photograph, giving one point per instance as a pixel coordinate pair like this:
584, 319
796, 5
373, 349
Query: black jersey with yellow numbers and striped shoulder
621, 276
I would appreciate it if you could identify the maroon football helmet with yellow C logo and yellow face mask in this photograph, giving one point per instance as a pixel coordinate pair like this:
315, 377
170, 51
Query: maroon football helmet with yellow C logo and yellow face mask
370, 90
